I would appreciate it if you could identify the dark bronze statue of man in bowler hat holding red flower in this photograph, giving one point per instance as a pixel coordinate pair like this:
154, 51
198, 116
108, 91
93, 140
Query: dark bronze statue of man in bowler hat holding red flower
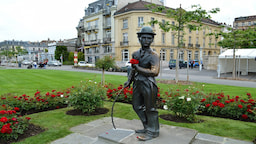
145, 67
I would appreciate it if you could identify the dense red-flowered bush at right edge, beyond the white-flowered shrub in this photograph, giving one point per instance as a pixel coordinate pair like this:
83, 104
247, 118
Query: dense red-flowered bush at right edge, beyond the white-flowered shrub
235, 107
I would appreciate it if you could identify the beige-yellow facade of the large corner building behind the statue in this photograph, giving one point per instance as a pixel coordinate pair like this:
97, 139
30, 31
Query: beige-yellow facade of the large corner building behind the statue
130, 19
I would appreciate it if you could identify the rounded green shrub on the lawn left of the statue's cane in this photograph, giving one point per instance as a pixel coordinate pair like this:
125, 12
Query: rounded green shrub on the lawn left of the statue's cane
87, 97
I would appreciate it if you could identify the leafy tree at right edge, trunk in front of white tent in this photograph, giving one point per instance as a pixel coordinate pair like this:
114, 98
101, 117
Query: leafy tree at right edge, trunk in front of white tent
237, 39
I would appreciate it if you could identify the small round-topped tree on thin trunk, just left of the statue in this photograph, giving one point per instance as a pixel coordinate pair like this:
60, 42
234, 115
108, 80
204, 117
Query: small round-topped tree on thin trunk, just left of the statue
105, 63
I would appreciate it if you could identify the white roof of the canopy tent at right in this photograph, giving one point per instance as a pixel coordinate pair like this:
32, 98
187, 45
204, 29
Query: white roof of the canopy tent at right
243, 53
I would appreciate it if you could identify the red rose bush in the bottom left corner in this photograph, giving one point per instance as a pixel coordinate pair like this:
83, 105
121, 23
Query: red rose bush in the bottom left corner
11, 124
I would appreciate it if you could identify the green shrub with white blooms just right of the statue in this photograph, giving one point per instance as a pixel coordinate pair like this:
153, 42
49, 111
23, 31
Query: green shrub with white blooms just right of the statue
184, 103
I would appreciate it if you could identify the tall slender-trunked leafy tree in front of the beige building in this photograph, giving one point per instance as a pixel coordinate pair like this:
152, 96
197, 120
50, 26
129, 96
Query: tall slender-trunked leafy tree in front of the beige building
185, 19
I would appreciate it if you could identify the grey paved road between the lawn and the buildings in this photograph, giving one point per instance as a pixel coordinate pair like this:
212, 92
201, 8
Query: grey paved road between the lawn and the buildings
204, 76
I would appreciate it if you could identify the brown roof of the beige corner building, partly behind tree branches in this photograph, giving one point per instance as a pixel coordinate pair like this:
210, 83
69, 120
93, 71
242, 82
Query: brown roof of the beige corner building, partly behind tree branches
141, 5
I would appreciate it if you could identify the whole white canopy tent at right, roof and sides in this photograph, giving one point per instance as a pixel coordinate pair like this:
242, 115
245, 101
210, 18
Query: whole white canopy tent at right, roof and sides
245, 61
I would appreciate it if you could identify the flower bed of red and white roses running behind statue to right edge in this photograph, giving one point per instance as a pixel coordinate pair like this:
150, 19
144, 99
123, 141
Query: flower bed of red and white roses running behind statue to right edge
186, 103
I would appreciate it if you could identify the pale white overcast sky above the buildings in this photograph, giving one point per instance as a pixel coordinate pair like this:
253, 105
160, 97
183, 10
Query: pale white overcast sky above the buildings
37, 20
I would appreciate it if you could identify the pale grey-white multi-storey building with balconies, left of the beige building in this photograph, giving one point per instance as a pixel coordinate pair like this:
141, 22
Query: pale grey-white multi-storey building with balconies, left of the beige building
96, 30
